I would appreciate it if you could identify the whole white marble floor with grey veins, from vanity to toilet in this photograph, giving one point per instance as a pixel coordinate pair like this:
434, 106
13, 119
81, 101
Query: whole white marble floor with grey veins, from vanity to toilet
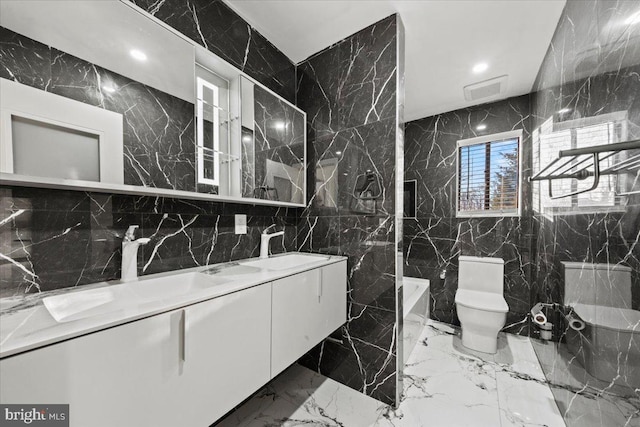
445, 385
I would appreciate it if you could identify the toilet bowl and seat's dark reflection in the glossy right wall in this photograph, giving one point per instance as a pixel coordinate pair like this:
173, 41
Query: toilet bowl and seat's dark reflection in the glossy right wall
609, 345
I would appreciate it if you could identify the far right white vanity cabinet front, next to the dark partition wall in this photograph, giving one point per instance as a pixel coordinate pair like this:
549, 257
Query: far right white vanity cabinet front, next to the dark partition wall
306, 308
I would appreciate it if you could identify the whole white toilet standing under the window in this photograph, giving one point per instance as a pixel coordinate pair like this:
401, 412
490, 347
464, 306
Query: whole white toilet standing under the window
481, 307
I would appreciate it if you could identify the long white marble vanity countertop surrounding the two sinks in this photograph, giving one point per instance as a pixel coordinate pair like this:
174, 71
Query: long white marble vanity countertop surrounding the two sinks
26, 324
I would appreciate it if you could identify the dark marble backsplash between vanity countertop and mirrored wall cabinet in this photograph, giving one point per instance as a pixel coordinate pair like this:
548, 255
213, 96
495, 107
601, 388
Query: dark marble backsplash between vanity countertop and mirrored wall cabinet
53, 239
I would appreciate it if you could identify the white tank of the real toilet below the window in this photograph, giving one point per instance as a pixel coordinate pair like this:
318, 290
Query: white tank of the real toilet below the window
481, 274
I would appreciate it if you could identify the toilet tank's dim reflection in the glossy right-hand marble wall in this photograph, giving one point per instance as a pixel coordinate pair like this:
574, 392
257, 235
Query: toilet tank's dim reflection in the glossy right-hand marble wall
597, 284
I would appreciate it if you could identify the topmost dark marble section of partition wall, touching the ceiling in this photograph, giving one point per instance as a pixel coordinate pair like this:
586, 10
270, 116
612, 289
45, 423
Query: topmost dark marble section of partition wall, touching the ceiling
352, 83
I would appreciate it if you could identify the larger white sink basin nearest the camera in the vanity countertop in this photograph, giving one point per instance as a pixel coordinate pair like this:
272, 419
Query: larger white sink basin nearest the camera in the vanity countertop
94, 302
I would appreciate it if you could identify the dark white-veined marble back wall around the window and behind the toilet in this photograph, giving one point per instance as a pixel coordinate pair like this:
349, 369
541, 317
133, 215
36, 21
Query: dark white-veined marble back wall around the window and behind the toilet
435, 238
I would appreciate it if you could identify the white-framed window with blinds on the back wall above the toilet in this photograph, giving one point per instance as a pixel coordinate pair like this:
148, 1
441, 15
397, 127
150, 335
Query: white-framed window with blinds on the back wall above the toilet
489, 175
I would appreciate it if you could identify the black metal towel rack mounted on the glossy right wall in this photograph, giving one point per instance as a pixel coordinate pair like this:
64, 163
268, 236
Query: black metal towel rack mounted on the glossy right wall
577, 162
